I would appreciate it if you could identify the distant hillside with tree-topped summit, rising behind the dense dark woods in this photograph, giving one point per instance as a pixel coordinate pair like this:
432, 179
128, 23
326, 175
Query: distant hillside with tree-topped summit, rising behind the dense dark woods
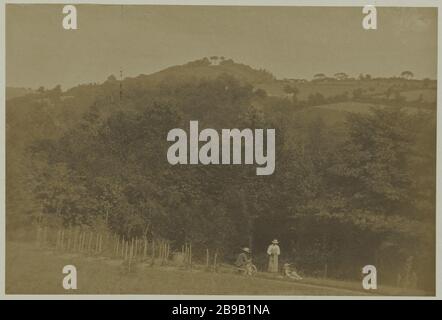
49, 112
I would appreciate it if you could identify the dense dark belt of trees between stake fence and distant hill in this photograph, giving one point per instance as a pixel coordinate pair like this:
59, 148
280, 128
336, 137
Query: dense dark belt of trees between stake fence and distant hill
341, 196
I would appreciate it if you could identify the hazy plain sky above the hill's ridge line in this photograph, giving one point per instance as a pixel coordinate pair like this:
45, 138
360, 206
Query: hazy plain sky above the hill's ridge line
291, 42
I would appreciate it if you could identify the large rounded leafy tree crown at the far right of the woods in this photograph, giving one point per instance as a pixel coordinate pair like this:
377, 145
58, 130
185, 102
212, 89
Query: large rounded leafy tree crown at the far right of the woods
372, 166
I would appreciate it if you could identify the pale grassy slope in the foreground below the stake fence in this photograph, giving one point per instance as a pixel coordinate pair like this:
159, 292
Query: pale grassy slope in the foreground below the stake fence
30, 270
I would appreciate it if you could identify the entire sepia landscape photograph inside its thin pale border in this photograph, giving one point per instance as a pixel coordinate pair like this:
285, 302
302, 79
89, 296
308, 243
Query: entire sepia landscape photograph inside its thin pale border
220, 150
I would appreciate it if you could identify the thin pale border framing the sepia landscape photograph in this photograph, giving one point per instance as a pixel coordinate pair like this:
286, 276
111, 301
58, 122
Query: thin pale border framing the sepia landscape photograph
325, 3
